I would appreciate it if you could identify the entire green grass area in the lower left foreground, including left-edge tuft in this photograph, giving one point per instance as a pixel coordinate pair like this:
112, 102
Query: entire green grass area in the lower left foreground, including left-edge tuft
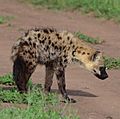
38, 104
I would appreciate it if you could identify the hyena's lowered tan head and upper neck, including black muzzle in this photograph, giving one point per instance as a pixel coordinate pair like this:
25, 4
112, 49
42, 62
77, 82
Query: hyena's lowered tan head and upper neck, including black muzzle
93, 61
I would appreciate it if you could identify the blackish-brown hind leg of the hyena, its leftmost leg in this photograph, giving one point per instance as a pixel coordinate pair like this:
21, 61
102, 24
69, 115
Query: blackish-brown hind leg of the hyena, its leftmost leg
20, 74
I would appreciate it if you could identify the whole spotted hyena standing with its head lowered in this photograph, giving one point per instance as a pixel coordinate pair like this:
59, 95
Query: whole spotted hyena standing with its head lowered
55, 50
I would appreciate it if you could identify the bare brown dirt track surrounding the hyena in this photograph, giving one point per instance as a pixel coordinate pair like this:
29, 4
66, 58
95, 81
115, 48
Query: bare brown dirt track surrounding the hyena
96, 99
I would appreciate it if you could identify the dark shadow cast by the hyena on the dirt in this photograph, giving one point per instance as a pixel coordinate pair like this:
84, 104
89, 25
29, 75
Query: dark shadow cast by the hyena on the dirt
77, 93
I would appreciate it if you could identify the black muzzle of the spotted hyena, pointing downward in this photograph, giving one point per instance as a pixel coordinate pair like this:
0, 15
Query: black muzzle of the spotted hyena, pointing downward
103, 74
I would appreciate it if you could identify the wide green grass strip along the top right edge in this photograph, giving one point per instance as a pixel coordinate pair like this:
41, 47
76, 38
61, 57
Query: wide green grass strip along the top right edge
109, 9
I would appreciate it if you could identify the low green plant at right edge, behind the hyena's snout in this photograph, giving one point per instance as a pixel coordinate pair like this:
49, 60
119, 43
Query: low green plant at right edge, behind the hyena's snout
112, 63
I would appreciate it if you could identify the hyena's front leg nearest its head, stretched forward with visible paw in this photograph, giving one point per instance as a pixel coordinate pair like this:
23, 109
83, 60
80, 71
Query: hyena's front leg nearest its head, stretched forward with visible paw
60, 74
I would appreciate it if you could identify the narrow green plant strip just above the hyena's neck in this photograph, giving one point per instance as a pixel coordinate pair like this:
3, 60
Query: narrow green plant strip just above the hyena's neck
88, 39
